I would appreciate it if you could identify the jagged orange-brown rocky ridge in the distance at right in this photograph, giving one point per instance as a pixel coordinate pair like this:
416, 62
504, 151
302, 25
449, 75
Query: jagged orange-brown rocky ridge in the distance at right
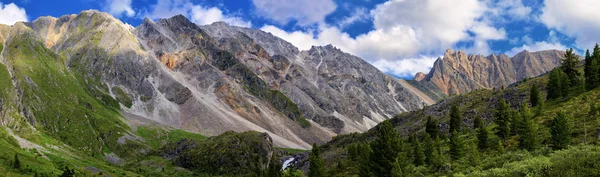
459, 73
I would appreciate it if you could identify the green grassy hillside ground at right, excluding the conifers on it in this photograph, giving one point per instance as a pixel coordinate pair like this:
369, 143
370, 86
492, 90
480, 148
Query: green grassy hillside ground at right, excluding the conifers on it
503, 158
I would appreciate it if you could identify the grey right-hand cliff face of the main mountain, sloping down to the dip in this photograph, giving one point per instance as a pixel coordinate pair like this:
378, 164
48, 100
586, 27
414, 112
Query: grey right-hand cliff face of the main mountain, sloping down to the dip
335, 89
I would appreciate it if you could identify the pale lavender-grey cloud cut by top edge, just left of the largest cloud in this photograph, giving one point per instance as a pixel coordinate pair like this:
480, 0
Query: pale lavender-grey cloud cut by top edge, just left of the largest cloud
305, 12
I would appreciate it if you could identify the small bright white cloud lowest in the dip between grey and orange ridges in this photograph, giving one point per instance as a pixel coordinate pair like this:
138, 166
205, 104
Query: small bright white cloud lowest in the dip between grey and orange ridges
406, 68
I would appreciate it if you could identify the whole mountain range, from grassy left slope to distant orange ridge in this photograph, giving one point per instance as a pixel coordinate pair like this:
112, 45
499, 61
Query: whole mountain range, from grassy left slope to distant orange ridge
80, 73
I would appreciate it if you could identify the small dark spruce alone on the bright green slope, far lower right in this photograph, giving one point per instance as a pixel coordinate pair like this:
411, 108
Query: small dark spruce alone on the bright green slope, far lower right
560, 129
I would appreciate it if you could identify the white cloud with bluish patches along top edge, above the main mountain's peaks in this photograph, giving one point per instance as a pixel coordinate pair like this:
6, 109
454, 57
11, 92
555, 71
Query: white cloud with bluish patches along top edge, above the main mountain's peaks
198, 14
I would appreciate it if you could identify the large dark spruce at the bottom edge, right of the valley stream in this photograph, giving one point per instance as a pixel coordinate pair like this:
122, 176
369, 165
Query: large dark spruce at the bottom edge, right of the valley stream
386, 148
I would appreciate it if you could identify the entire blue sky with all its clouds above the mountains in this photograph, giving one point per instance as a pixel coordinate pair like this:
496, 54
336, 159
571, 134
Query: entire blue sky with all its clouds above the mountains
400, 37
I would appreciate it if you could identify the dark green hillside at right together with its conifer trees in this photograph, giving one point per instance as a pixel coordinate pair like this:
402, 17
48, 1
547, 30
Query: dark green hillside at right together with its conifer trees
512, 131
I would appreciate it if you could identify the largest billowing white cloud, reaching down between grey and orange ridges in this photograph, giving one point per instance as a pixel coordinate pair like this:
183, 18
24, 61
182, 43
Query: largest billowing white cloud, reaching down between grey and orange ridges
404, 31
